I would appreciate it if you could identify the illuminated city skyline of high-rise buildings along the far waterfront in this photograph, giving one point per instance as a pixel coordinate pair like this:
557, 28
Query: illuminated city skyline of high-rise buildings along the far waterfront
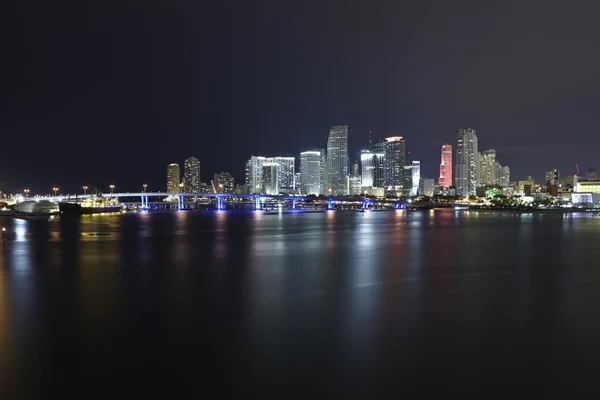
380, 169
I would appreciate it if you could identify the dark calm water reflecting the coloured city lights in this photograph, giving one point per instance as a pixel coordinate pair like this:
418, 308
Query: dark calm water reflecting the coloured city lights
333, 303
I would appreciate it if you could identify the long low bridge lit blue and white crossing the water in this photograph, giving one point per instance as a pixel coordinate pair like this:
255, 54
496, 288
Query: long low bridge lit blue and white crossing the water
181, 201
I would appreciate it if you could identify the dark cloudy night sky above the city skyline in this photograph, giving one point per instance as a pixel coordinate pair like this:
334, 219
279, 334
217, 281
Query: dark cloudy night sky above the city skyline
112, 91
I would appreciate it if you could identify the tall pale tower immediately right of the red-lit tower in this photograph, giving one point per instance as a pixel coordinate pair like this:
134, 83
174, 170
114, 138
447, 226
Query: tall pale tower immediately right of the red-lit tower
467, 163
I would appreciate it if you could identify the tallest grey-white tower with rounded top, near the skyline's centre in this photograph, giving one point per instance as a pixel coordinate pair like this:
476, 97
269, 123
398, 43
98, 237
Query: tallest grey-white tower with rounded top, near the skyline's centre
337, 160
